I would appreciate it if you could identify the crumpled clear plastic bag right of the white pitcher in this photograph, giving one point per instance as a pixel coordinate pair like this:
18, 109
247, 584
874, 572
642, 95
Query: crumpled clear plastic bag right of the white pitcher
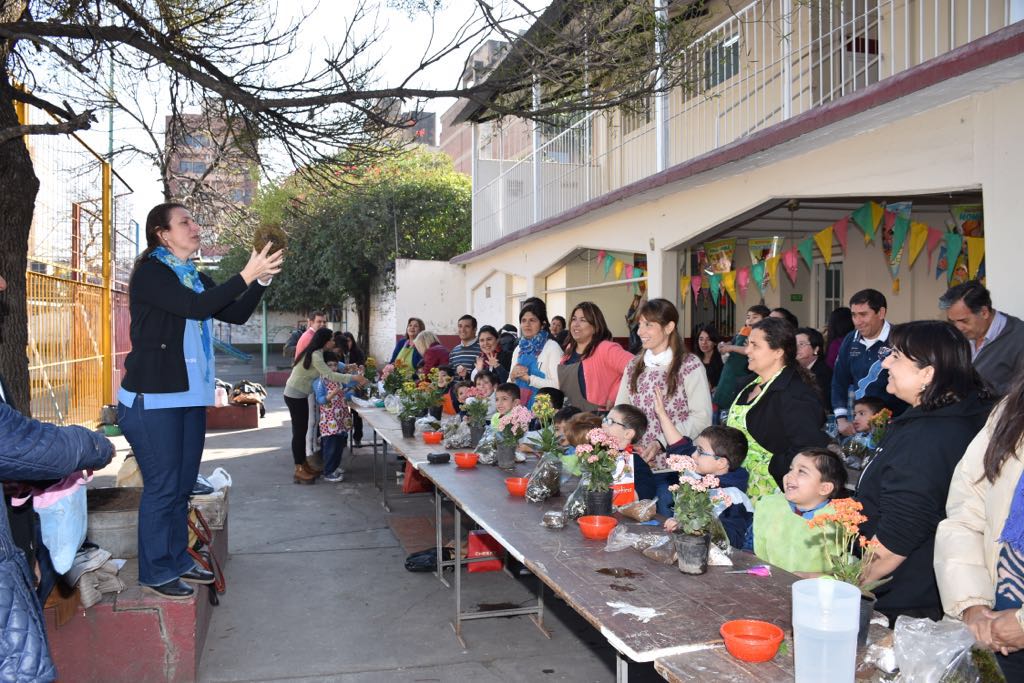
928, 652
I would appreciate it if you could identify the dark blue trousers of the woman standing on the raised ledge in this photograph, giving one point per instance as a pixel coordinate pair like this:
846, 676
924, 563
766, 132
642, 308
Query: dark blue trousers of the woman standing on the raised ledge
168, 447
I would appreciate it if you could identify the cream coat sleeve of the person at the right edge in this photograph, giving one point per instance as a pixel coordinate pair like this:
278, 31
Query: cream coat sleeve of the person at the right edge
960, 539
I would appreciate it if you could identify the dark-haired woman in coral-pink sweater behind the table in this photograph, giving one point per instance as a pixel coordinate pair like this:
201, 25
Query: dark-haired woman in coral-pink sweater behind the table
592, 368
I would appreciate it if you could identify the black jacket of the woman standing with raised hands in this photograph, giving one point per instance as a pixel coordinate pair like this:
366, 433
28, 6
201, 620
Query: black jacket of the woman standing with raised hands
160, 305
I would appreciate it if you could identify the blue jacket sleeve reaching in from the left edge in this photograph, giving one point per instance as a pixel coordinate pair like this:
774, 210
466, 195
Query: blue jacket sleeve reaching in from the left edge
31, 450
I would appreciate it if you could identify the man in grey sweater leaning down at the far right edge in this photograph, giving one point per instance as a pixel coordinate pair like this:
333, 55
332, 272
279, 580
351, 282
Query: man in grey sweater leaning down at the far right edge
997, 338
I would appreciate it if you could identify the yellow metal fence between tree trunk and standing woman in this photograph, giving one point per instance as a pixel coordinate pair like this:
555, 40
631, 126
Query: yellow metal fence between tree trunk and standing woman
81, 249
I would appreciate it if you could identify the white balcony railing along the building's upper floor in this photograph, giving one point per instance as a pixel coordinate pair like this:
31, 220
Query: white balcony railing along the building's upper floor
767, 63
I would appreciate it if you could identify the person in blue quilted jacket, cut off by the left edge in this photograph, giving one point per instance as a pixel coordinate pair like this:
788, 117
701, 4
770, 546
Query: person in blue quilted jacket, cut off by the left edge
32, 451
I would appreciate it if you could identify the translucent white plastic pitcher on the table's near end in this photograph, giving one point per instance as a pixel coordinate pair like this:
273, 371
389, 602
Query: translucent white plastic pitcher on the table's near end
826, 620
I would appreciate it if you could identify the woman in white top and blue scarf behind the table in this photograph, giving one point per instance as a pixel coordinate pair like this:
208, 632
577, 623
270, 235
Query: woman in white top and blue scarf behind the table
535, 362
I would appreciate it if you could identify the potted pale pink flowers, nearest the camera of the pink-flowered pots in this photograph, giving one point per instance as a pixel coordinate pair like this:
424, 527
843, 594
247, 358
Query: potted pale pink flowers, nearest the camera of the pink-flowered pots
695, 514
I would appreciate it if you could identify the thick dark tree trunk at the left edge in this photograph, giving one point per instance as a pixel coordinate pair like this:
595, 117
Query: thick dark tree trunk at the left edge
17, 204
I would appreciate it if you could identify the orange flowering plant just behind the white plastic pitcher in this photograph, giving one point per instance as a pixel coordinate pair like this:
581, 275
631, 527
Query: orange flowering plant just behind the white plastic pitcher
841, 531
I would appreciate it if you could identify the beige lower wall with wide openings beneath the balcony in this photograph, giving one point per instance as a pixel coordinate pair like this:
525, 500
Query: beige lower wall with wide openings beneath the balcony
970, 144
